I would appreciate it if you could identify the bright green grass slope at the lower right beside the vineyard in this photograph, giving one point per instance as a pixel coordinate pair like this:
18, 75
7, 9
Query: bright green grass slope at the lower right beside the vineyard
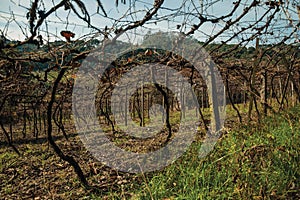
252, 162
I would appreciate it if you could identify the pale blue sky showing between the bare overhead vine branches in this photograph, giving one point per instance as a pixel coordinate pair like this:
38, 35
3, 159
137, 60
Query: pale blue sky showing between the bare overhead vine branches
17, 28
